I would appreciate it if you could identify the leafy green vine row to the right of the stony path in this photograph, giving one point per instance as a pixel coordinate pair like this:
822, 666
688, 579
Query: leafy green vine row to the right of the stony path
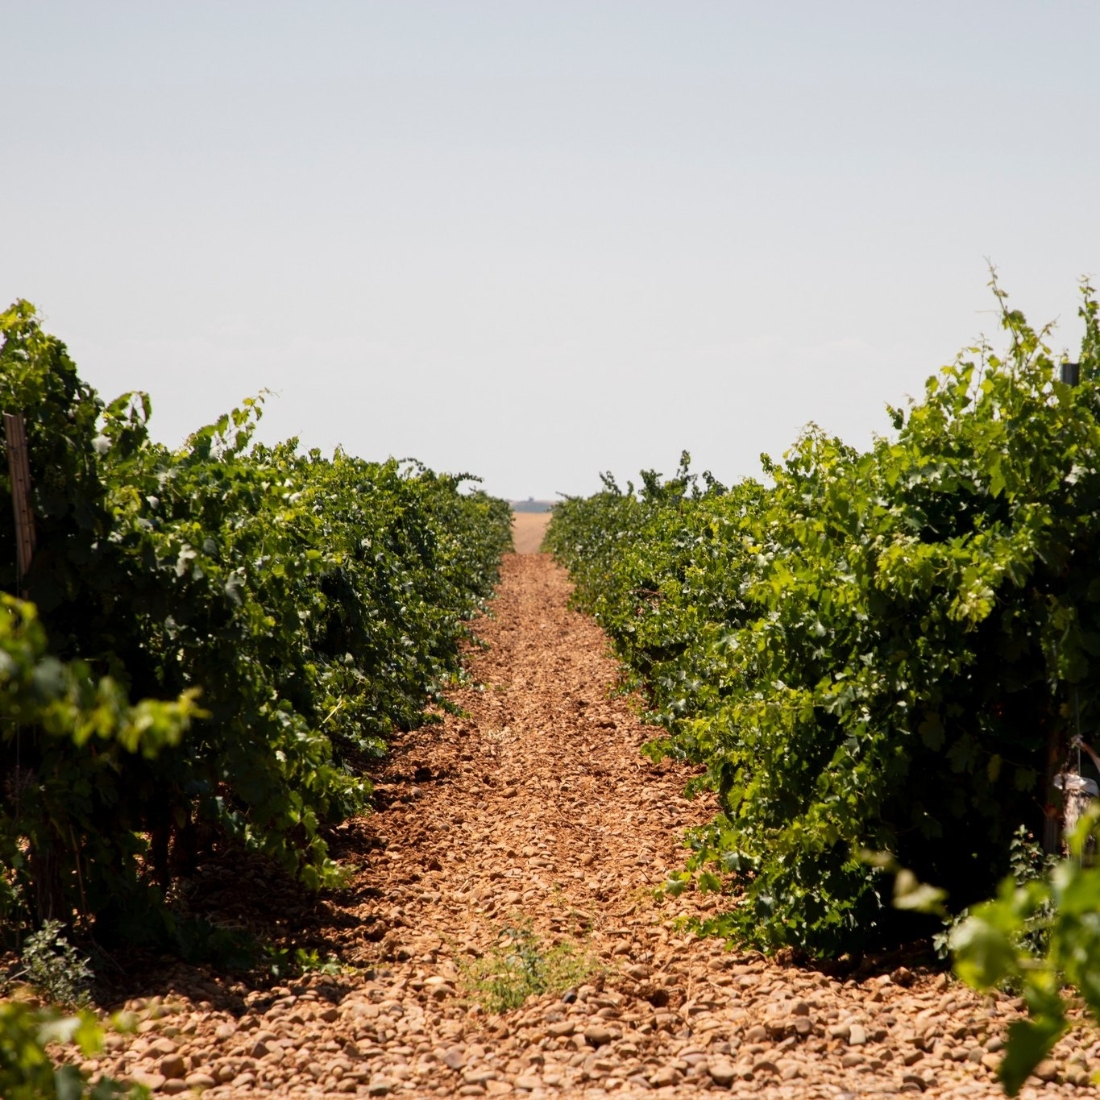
870, 652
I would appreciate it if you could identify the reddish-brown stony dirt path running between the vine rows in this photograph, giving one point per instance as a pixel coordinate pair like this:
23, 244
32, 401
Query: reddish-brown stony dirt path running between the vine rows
535, 812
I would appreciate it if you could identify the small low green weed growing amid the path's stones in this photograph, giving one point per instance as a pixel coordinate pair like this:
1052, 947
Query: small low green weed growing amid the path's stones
519, 966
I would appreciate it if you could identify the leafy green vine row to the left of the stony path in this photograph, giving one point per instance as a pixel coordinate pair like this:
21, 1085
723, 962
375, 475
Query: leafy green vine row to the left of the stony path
299, 609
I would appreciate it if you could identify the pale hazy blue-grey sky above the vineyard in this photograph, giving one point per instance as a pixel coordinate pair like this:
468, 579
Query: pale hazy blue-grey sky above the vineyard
538, 240
